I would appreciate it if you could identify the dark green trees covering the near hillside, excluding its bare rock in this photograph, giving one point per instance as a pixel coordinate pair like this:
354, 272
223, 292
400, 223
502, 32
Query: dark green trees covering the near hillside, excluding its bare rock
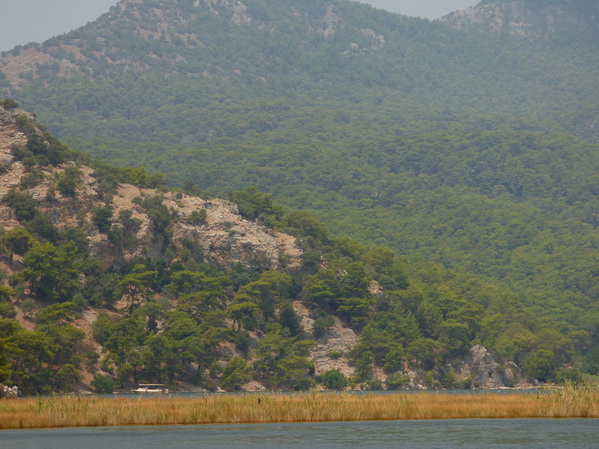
179, 309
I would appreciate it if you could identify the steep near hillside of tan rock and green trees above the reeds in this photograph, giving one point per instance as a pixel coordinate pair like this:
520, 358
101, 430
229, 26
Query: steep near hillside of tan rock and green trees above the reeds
109, 280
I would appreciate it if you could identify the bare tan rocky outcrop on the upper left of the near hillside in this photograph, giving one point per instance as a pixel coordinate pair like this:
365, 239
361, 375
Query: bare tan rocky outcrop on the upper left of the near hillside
223, 236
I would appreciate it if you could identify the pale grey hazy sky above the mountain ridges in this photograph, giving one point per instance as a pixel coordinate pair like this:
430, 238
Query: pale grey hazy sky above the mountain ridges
24, 21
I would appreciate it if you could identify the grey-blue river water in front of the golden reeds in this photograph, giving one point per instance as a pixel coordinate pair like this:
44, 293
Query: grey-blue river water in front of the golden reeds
454, 434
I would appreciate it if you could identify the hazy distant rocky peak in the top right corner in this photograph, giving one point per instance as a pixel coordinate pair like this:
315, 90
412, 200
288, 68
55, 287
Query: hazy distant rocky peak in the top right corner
529, 19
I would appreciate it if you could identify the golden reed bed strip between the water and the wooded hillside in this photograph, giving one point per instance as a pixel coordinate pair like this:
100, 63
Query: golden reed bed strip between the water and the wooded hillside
310, 407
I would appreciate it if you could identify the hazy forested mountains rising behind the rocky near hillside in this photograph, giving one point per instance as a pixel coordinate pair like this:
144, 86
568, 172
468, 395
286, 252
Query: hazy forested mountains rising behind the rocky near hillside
464, 147
